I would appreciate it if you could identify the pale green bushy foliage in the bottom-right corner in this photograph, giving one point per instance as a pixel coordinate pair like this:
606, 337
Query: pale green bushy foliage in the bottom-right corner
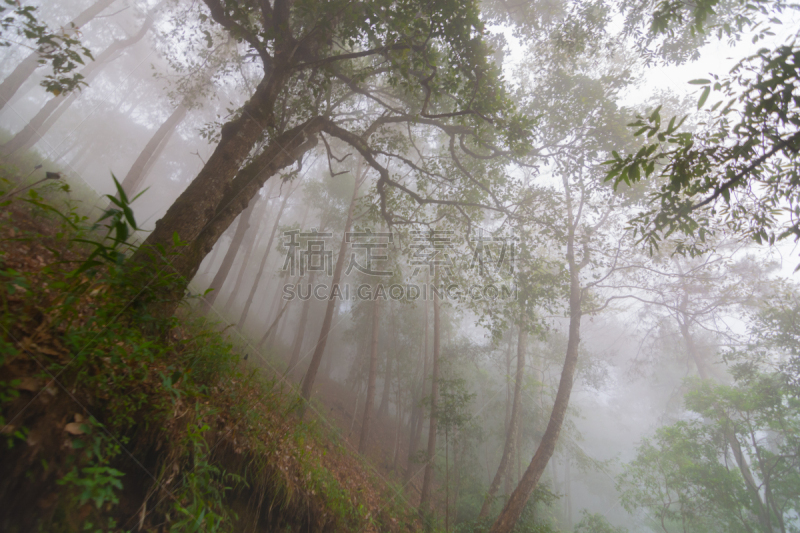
689, 472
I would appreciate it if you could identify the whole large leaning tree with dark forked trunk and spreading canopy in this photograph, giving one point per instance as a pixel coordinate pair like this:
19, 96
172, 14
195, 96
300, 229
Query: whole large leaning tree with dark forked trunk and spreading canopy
402, 83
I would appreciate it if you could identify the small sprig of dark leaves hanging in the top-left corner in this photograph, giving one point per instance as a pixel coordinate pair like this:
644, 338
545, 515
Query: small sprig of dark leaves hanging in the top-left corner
61, 49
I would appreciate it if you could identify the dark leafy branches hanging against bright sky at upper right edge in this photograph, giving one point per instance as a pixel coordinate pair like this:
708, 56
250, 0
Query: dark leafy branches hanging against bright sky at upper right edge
739, 167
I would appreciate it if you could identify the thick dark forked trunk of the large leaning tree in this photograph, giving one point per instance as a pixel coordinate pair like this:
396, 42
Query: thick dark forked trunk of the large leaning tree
220, 192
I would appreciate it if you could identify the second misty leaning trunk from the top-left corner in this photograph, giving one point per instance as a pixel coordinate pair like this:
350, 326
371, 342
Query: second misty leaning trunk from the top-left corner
34, 130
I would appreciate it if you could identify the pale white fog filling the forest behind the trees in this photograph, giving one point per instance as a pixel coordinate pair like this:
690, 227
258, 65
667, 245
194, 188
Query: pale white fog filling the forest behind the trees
654, 324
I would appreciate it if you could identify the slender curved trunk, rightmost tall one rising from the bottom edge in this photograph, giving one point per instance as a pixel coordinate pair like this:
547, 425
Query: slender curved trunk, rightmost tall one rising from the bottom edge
516, 503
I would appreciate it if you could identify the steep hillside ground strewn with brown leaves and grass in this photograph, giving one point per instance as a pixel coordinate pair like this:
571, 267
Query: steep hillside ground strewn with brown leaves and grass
115, 422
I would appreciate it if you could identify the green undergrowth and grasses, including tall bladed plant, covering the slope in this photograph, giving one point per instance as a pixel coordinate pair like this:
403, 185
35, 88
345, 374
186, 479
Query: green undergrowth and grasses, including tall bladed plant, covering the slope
165, 399
